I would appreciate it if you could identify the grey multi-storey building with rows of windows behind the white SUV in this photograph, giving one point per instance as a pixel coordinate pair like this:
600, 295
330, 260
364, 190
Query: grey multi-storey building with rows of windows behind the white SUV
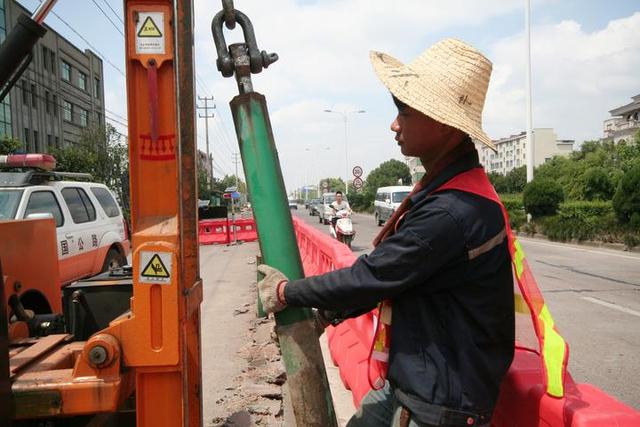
60, 93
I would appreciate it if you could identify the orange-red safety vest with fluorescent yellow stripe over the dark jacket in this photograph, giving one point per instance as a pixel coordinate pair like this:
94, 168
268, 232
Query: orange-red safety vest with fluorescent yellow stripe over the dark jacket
554, 350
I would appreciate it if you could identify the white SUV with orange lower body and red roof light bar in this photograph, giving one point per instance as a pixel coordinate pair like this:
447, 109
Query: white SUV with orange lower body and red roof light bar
91, 231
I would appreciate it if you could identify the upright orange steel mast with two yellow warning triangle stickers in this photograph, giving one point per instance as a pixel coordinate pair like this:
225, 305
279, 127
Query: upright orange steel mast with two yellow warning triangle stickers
161, 337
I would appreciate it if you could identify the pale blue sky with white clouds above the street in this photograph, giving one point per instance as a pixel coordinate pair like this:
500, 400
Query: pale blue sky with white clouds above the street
585, 60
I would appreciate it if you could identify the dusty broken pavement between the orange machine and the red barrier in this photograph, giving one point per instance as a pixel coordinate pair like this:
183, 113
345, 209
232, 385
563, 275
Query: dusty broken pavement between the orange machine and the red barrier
244, 382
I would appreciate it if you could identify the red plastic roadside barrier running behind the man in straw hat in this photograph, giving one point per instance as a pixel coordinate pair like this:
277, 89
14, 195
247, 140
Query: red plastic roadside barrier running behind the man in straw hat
522, 401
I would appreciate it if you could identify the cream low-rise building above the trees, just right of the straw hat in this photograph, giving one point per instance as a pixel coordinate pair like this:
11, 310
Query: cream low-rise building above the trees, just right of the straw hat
512, 150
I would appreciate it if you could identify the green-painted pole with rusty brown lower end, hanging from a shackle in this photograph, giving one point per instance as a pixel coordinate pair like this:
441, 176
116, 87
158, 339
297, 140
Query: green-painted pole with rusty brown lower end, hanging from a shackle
306, 376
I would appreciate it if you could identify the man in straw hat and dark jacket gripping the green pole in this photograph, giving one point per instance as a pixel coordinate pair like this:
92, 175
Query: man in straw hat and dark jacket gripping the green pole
441, 269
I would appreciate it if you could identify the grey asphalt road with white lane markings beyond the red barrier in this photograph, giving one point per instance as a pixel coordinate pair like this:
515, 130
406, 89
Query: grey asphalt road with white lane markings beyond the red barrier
593, 295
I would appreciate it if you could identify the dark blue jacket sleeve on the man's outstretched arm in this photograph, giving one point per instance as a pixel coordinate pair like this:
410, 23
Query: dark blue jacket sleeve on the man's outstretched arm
427, 241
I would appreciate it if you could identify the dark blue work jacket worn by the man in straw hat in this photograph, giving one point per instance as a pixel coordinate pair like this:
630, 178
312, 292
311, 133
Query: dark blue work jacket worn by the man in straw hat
448, 273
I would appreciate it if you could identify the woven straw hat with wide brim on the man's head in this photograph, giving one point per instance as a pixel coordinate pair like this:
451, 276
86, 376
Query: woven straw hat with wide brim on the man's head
447, 82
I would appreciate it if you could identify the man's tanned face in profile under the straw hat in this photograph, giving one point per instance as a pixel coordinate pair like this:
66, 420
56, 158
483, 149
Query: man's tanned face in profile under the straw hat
419, 135
